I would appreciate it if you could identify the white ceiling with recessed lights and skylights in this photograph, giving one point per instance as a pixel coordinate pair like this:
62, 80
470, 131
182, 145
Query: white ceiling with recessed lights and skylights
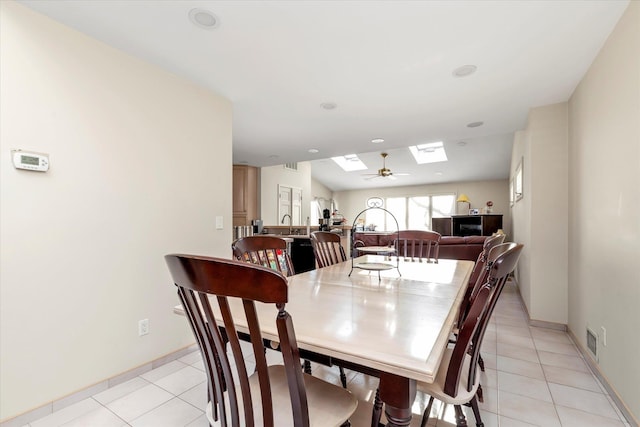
387, 65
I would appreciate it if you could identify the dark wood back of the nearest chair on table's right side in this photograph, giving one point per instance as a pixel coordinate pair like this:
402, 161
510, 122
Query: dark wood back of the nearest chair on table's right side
501, 262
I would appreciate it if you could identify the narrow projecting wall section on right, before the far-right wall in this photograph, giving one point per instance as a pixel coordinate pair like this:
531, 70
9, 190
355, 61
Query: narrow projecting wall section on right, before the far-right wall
540, 217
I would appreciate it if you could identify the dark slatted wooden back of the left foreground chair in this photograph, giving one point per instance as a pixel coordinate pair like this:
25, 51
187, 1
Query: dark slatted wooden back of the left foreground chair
231, 282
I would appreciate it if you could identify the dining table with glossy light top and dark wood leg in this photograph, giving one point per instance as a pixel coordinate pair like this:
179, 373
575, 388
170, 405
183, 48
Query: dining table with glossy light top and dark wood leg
395, 327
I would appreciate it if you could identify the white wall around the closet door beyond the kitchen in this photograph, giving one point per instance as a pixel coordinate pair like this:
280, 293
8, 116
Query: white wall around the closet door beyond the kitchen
271, 177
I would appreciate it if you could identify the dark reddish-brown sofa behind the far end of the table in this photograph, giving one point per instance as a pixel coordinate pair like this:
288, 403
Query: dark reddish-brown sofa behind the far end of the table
451, 247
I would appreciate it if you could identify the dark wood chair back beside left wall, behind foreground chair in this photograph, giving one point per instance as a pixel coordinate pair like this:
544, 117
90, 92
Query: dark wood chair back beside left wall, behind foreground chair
268, 251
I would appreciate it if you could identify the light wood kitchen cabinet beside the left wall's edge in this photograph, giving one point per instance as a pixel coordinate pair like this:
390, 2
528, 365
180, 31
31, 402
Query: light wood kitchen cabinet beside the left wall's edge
245, 194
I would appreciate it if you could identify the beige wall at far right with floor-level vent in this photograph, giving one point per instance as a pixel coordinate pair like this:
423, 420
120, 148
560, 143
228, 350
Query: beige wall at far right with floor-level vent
604, 209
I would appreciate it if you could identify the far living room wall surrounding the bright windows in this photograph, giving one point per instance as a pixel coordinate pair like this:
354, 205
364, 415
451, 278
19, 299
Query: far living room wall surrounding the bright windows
352, 202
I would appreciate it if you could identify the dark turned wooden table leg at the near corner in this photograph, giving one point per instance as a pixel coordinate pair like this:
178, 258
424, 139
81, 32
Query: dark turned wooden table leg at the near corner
398, 394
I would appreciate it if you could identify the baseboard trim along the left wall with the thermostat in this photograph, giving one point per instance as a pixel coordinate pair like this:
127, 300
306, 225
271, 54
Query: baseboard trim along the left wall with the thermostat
70, 399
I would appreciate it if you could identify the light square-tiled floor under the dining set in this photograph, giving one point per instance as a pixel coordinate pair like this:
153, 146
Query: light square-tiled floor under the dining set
534, 377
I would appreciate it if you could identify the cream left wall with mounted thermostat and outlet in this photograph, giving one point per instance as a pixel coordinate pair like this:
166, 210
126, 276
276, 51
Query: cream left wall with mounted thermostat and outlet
83, 244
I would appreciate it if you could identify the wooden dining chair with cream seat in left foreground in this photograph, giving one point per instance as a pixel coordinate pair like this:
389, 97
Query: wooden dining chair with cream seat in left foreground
216, 293
